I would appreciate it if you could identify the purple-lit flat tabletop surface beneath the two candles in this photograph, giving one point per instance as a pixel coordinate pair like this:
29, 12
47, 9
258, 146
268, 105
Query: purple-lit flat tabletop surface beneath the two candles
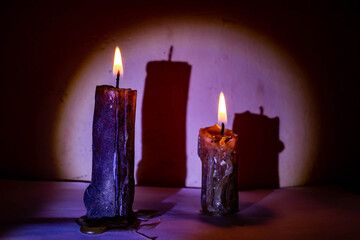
47, 210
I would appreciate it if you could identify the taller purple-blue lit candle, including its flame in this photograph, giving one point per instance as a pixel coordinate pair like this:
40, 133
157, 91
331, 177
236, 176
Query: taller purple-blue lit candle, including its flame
111, 191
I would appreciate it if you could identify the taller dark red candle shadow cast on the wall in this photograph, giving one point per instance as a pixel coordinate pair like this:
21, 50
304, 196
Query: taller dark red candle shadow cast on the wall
164, 124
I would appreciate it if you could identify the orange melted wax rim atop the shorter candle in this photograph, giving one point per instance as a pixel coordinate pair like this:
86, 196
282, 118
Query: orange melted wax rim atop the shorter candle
212, 135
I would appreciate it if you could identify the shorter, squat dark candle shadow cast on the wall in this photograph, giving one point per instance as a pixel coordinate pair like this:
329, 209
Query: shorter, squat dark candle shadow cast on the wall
258, 152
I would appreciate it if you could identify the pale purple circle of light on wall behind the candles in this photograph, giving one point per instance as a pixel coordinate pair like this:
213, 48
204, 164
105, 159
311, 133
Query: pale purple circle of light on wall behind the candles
250, 69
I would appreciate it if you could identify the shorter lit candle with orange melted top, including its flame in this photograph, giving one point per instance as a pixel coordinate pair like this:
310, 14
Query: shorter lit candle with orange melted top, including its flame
217, 149
